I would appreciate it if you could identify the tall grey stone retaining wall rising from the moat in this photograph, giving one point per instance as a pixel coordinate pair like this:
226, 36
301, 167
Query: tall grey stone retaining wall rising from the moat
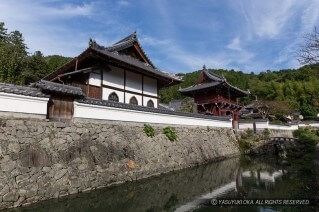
42, 160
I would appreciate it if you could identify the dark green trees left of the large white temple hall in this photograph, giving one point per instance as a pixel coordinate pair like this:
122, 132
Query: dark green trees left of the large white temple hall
17, 66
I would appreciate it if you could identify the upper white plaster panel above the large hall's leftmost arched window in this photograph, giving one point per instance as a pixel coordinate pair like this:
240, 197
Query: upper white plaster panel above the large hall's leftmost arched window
114, 77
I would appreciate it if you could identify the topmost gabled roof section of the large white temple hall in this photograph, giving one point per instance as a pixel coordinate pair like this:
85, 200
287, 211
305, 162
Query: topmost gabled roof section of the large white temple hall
126, 43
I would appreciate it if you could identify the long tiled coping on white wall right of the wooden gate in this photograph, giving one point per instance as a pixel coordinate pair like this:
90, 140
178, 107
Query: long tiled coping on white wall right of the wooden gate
148, 109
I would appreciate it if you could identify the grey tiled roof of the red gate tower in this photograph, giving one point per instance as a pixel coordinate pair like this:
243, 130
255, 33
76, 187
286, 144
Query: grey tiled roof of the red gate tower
215, 81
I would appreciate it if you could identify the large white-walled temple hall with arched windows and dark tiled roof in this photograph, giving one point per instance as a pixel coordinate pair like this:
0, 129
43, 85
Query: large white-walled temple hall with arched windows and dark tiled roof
119, 73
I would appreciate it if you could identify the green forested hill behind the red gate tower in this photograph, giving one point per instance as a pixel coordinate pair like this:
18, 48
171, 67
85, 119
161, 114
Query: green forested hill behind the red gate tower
295, 89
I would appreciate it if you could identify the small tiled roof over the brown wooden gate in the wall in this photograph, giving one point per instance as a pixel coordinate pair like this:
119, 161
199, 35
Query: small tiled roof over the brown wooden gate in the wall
59, 88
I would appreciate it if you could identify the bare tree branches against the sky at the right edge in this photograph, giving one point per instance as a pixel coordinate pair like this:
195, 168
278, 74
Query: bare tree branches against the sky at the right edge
309, 50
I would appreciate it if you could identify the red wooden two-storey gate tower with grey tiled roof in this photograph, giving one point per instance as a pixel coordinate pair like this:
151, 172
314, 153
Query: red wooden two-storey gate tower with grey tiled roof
215, 96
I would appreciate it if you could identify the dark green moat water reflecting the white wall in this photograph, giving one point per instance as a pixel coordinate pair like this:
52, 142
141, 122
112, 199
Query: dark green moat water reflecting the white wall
193, 189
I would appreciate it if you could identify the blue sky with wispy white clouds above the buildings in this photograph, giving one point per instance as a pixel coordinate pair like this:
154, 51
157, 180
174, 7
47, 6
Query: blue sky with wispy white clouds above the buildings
178, 35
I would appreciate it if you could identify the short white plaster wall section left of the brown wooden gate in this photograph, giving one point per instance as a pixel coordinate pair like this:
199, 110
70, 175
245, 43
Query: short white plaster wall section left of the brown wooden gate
23, 104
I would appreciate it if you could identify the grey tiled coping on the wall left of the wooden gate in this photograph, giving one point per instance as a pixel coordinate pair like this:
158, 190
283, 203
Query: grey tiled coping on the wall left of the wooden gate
22, 90
